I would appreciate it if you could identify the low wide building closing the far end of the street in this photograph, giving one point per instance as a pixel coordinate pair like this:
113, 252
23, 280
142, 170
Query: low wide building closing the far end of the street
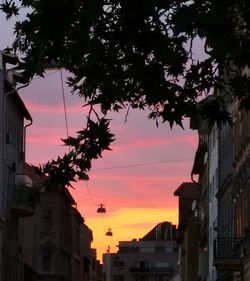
152, 258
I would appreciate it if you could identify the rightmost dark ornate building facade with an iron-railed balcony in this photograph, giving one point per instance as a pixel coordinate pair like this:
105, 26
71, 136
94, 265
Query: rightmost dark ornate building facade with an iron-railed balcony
232, 252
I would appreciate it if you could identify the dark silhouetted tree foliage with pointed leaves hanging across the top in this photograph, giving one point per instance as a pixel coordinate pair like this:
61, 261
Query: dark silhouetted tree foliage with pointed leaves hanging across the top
137, 54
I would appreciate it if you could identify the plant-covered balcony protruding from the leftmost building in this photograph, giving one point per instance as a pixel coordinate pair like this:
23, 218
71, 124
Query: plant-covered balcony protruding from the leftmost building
24, 200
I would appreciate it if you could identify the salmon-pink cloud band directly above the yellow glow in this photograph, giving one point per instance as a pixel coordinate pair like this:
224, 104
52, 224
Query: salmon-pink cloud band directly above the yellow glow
133, 194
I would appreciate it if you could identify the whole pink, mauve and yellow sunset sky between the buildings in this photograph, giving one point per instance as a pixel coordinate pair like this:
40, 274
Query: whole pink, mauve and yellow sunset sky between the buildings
135, 181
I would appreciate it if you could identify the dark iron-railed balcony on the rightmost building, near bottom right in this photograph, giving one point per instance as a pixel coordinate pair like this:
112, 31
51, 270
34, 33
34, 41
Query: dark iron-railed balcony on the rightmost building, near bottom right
228, 252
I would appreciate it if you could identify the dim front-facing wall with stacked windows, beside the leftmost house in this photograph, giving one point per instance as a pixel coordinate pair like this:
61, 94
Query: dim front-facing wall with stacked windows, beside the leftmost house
46, 237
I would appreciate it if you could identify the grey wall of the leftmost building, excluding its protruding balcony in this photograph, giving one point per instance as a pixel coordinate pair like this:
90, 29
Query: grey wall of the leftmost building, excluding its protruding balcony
12, 112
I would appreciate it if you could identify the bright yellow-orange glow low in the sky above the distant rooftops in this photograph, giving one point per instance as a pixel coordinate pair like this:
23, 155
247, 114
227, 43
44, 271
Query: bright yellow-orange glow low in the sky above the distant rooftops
126, 224
